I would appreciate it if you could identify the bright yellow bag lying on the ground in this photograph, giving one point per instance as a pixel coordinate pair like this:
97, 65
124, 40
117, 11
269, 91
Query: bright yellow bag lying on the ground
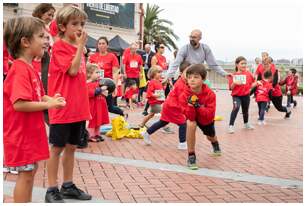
119, 128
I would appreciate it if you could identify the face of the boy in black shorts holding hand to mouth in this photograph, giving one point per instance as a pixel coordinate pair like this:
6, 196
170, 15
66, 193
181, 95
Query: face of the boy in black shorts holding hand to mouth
74, 27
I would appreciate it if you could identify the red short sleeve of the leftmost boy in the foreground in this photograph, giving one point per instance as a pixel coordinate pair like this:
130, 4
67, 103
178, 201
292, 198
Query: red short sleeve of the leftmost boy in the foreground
21, 85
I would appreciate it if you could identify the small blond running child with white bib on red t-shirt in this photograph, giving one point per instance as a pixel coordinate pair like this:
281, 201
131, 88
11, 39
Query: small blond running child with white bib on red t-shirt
155, 94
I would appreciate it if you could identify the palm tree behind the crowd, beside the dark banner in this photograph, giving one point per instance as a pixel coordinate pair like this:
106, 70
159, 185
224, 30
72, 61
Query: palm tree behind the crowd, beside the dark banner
158, 30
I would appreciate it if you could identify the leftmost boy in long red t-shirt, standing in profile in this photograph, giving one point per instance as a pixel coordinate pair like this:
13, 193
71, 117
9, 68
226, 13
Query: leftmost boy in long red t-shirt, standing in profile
24, 133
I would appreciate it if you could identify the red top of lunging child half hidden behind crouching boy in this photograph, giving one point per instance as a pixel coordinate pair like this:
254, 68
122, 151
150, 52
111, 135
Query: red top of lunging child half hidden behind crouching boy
172, 110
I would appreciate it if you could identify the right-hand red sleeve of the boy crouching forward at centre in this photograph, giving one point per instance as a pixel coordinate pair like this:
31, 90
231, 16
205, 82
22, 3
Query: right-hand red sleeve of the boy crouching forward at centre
209, 108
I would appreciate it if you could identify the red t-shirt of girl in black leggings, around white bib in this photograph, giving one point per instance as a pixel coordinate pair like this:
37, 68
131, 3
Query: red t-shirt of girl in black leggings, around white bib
243, 89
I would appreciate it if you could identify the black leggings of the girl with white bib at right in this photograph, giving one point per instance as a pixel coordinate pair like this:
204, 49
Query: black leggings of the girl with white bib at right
244, 101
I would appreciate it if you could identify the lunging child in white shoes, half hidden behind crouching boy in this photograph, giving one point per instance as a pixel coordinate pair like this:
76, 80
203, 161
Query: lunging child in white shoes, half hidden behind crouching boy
172, 111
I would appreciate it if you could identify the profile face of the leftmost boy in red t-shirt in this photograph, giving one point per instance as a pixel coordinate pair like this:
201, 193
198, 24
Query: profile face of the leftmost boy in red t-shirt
38, 44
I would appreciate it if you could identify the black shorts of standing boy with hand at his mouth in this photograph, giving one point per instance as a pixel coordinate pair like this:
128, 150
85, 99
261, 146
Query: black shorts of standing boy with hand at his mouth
69, 133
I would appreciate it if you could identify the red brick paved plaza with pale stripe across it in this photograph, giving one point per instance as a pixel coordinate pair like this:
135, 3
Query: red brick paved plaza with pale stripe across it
260, 165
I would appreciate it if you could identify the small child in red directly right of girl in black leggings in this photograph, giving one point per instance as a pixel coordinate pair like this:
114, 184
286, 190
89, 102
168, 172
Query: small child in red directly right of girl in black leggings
263, 91
